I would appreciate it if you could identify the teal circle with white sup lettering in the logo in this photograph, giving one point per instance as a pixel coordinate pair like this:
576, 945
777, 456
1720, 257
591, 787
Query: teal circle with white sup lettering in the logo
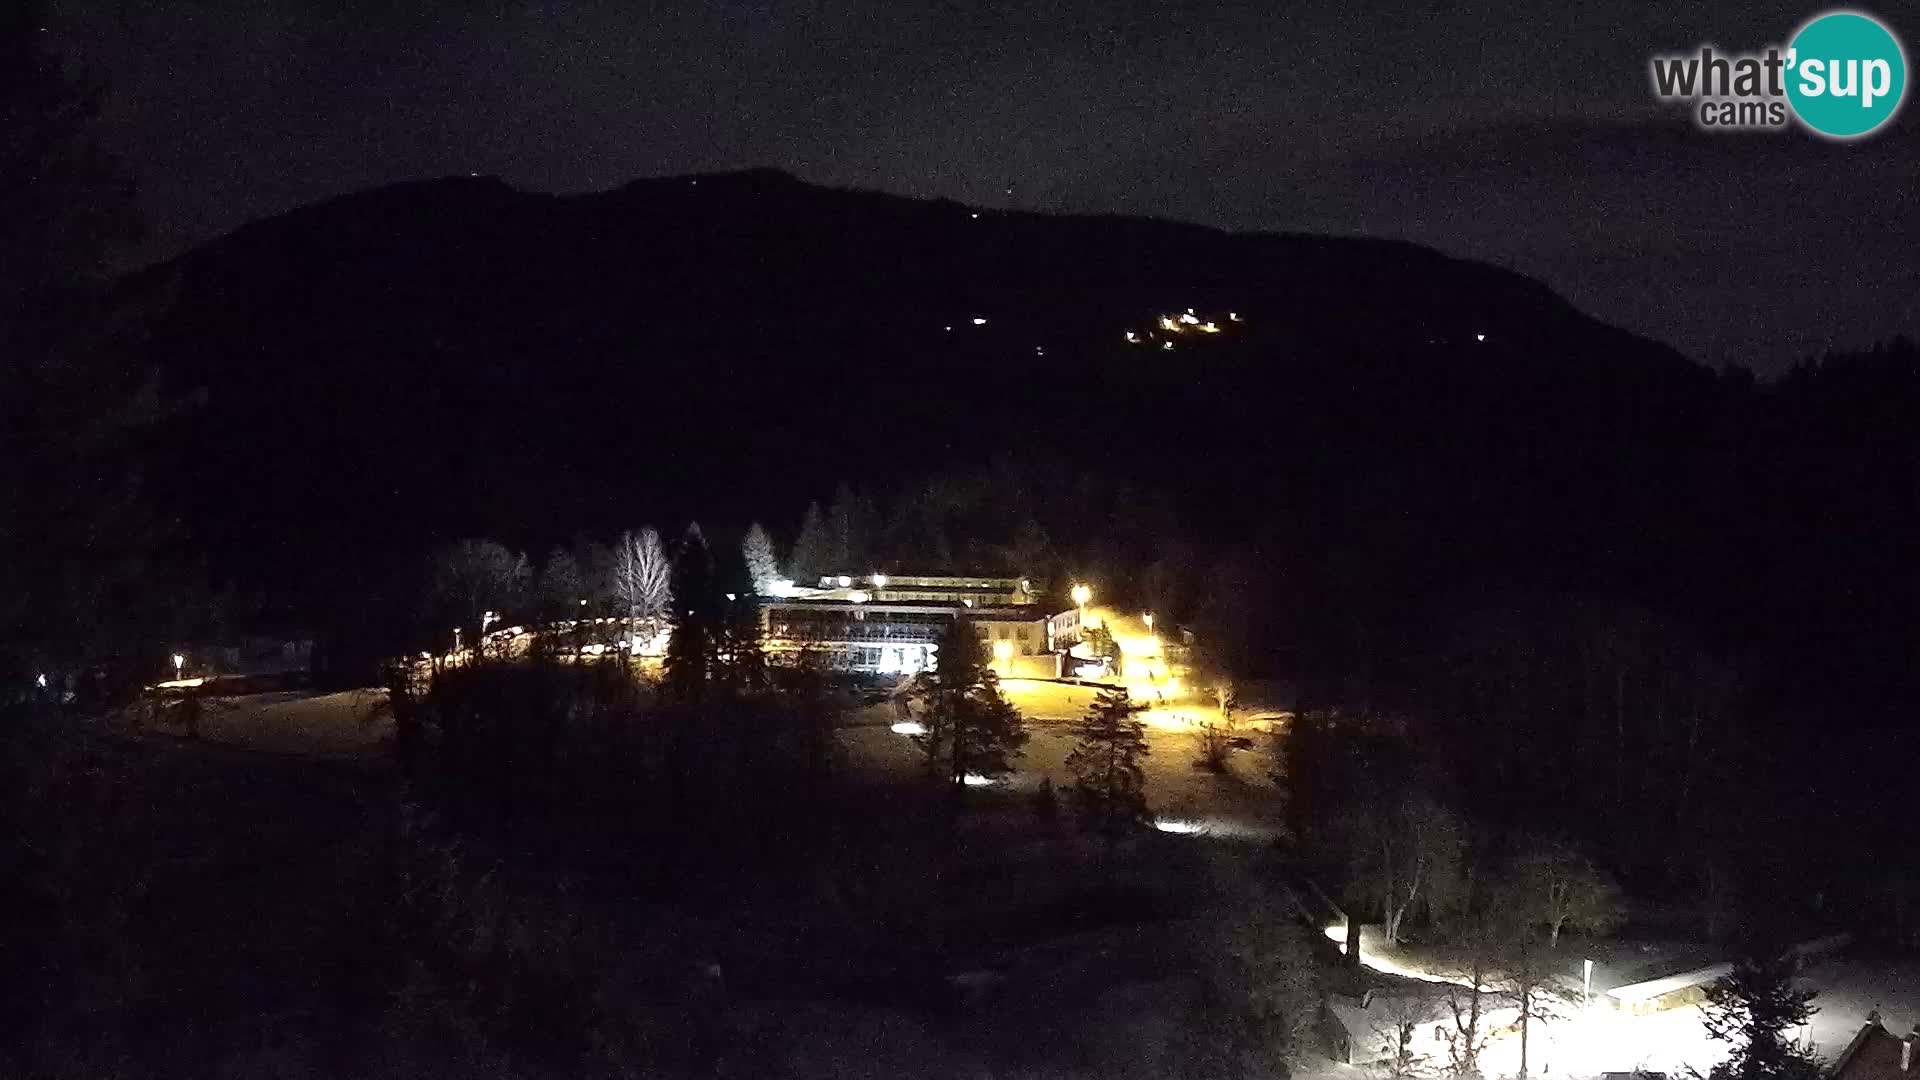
1846, 74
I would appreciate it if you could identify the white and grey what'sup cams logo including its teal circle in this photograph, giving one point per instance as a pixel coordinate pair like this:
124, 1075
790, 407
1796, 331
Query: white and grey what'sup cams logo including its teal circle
1844, 76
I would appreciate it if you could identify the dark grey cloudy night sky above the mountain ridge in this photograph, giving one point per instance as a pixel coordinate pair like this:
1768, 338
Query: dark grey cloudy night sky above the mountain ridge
1525, 135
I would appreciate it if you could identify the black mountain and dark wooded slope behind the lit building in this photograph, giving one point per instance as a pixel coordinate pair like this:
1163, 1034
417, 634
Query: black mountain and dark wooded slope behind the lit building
1401, 479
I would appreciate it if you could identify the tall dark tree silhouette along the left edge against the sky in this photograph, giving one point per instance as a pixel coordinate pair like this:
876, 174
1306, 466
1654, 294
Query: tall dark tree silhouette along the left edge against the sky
82, 581
